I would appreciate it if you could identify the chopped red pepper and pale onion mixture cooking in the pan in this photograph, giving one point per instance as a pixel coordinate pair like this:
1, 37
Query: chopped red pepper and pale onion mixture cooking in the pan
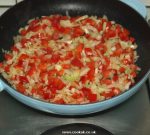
71, 60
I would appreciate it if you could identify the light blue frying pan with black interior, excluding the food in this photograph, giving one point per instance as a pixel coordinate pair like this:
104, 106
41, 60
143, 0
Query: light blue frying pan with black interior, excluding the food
17, 17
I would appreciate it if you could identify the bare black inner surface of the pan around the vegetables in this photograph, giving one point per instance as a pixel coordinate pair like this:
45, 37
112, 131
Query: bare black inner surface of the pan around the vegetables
16, 17
